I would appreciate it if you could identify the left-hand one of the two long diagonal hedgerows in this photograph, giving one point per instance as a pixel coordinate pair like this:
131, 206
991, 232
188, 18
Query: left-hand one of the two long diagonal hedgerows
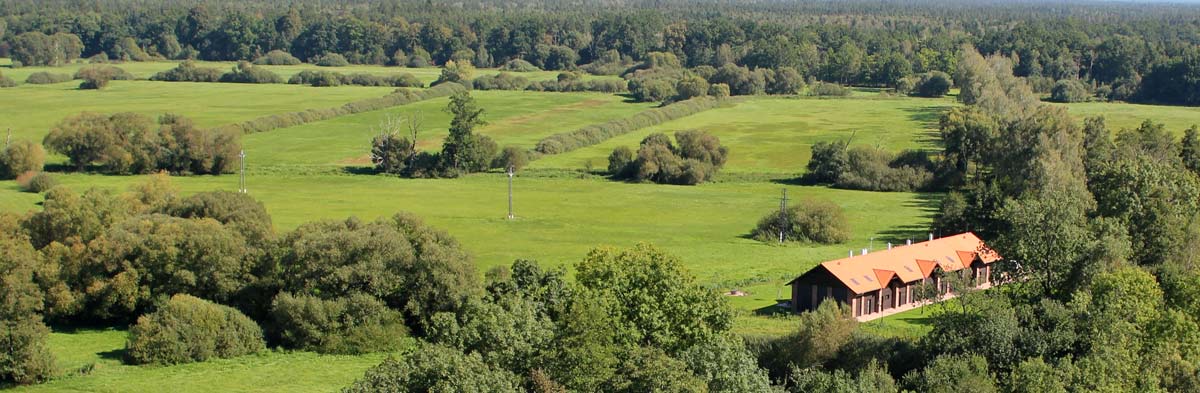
399, 98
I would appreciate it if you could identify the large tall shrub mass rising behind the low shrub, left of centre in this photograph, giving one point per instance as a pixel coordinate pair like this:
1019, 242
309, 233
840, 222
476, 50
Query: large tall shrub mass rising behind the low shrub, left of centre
385, 258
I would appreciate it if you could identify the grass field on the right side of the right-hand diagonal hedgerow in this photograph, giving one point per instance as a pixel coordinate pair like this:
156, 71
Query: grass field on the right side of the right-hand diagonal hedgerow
777, 135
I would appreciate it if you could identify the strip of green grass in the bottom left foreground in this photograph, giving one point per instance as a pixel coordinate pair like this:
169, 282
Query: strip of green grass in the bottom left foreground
99, 352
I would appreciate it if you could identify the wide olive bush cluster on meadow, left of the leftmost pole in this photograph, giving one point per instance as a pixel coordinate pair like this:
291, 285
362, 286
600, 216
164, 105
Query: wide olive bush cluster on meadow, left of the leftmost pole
129, 143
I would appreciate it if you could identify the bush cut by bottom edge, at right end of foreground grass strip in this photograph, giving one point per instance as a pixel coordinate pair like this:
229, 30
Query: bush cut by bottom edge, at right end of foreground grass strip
436, 368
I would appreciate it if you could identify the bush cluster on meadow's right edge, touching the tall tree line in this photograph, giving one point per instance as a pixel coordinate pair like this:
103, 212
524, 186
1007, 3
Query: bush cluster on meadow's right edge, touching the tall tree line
871, 170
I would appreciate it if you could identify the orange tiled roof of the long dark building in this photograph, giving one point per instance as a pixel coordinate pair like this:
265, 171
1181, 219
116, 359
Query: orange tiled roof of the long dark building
913, 263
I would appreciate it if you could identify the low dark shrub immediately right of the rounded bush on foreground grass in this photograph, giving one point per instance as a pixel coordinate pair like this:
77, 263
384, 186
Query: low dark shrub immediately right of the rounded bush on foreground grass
356, 324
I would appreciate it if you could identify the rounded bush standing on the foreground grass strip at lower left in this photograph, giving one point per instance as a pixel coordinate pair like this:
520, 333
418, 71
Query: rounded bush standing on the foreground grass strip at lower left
193, 330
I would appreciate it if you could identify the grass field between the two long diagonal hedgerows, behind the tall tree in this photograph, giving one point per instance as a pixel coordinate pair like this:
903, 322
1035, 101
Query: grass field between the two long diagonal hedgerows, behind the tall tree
515, 118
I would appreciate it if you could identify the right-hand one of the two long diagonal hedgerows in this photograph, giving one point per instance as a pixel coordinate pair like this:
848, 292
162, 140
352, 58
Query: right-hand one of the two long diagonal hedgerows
595, 135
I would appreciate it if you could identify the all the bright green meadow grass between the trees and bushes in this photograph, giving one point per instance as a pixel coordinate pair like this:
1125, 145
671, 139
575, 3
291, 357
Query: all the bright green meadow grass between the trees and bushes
311, 172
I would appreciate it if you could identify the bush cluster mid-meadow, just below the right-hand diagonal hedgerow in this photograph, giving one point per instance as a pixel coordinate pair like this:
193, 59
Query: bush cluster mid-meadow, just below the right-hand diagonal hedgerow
694, 159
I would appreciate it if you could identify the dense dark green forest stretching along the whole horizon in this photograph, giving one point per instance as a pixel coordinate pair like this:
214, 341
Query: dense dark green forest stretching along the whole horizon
1114, 51
